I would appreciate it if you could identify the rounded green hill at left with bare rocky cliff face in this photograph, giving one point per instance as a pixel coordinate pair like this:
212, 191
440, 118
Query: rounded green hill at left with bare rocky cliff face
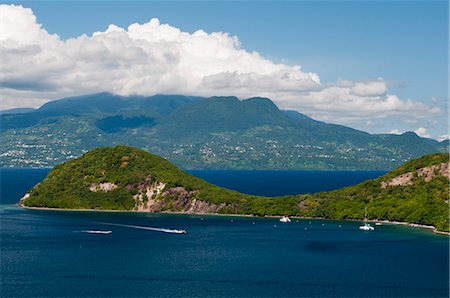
116, 178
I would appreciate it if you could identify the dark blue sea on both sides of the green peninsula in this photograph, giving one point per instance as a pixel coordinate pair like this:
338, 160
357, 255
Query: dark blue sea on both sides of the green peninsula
115, 254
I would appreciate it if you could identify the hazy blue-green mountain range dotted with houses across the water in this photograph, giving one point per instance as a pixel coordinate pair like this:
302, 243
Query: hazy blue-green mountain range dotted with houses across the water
199, 133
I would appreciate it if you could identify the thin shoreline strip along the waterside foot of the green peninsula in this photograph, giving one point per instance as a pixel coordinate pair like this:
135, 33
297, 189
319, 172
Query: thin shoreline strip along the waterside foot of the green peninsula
413, 225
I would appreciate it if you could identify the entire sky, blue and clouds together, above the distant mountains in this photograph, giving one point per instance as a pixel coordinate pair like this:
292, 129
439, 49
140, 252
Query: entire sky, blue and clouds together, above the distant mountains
377, 66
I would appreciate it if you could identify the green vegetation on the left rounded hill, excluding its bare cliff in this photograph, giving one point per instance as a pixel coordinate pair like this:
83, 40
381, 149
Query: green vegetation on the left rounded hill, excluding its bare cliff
67, 185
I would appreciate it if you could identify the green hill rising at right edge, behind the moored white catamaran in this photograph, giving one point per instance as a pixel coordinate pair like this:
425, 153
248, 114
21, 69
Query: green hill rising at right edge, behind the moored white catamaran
417, 192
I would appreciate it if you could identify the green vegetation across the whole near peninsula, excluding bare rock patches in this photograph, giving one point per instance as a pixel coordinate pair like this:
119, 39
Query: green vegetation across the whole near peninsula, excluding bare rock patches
67, 186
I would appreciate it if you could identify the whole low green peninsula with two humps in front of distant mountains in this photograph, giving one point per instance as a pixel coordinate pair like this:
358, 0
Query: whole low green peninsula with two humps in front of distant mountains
130, 179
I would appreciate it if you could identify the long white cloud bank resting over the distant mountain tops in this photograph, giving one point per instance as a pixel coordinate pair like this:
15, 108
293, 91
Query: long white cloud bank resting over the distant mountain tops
152, 58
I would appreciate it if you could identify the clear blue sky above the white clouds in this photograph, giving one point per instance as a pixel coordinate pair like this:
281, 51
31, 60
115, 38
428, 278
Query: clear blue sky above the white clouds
404, 42
